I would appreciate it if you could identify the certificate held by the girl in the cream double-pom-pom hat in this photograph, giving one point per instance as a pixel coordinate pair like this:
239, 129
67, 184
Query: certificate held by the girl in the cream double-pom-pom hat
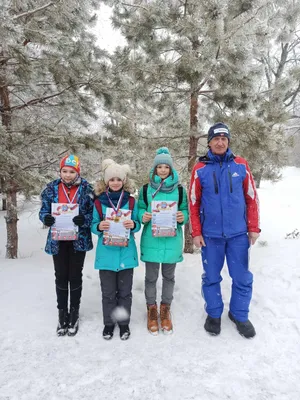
117, 234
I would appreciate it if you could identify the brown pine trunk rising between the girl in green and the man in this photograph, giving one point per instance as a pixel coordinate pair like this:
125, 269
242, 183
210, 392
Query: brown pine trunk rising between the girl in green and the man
194, 138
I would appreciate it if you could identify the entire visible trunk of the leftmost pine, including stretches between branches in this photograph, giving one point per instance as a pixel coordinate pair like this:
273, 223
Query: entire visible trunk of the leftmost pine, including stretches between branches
10, 187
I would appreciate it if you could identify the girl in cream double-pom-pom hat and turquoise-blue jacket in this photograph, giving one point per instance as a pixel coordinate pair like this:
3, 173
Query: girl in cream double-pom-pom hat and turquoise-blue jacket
115, 262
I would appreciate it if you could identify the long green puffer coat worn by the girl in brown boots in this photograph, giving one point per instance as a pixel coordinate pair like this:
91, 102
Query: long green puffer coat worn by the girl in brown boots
162, 249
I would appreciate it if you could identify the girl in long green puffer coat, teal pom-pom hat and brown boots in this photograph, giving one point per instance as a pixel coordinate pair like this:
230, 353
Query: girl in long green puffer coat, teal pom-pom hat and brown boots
167, 251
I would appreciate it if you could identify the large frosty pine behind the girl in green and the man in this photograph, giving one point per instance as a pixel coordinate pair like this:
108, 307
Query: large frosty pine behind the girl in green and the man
195, 56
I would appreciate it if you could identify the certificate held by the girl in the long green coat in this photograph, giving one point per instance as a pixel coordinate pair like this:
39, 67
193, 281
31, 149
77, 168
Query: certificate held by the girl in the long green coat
164, 218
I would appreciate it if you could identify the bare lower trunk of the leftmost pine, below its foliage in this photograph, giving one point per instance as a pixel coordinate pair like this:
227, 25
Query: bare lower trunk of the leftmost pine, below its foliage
11, 222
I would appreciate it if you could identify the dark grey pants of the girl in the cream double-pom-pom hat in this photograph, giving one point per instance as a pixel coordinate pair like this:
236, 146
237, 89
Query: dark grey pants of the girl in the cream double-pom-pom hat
116, 290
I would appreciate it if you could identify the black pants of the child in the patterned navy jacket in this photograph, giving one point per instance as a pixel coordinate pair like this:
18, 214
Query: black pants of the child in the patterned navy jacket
68, 265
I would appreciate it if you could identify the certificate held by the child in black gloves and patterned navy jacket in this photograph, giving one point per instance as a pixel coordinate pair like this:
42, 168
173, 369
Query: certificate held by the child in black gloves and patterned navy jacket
64, 228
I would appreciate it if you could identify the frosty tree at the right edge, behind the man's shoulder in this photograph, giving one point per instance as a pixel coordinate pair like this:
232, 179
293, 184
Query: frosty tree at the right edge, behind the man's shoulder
259, 133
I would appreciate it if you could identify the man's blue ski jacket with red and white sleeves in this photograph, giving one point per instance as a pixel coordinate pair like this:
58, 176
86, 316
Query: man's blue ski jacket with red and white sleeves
223, 198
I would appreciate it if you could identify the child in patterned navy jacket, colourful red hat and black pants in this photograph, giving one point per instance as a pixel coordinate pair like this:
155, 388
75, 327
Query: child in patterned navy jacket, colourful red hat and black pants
68, 255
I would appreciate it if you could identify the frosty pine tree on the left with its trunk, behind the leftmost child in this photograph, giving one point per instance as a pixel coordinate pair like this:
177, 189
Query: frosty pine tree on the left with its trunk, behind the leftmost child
50, 74
